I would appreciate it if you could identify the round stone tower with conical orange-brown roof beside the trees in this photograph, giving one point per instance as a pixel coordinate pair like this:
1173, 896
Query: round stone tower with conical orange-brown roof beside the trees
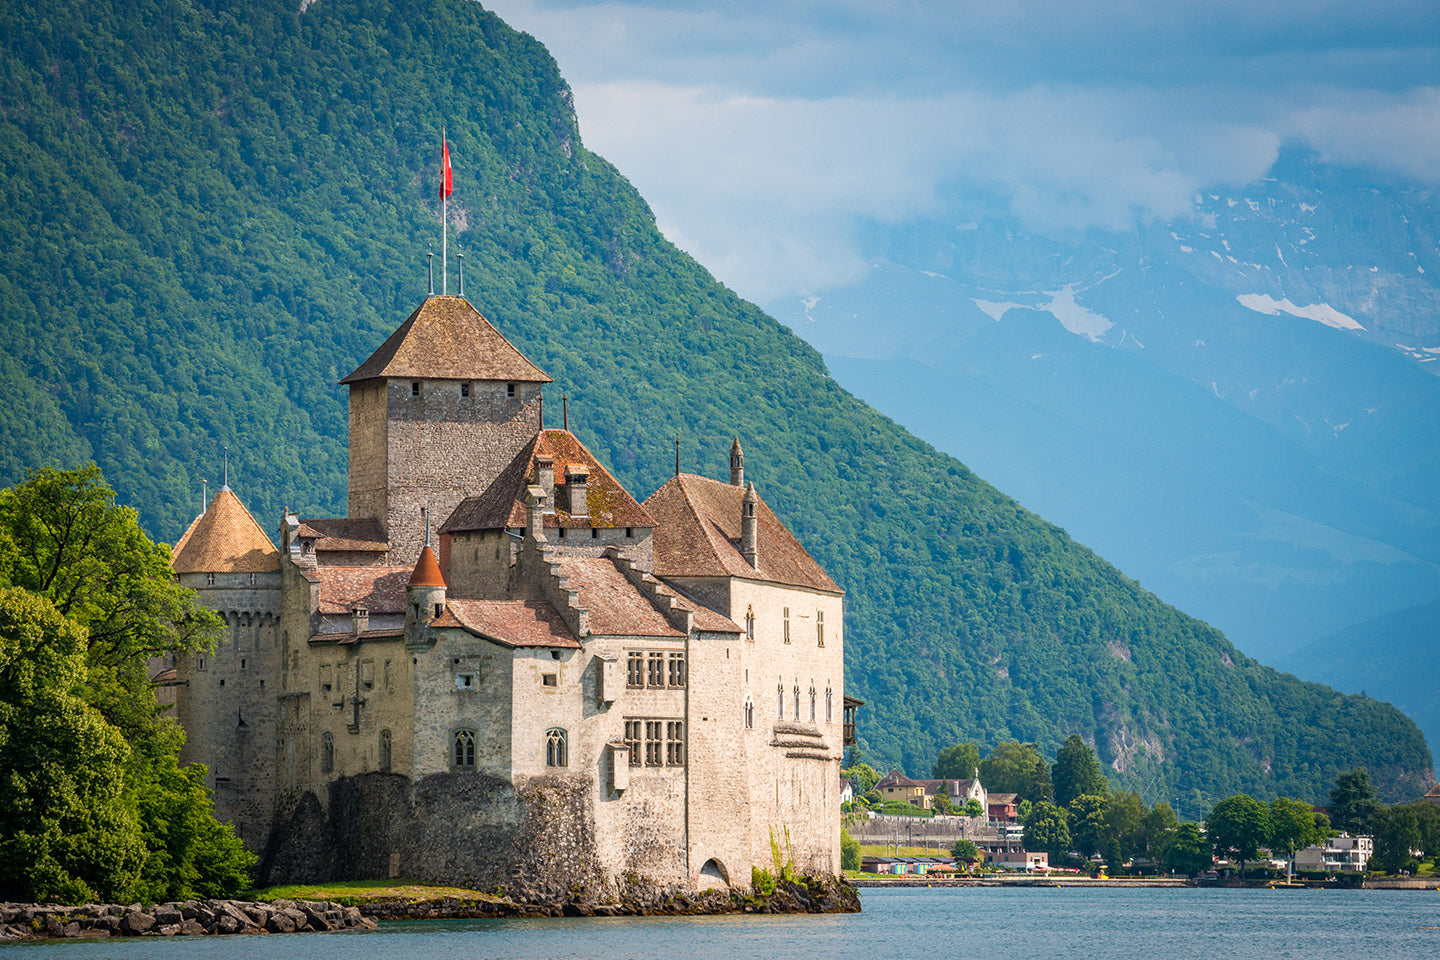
221, 697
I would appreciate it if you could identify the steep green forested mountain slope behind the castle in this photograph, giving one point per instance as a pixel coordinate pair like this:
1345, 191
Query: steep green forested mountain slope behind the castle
214, 211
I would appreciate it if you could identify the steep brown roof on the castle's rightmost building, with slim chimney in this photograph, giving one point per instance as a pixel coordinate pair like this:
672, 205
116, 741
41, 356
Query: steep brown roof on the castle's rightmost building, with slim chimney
698, 535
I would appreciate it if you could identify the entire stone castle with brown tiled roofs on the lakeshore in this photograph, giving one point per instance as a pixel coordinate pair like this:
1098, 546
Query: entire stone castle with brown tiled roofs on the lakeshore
500, 669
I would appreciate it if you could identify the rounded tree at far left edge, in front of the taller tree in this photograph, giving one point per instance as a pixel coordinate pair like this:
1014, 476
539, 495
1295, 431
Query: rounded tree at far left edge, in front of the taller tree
67, 831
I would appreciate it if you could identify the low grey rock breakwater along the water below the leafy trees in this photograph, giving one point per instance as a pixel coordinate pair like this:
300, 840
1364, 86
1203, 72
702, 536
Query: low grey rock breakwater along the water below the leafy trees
188, 919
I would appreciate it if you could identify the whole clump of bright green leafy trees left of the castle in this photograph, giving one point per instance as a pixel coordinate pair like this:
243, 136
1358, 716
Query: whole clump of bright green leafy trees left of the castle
68, 546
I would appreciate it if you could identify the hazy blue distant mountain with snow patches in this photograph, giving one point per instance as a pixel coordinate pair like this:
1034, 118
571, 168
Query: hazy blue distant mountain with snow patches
1239, 408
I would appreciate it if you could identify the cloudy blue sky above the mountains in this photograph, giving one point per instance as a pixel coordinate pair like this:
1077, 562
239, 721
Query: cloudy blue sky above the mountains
764, 133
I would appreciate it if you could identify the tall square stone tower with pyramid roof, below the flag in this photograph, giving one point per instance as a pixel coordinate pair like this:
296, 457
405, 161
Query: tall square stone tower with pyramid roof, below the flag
436, 414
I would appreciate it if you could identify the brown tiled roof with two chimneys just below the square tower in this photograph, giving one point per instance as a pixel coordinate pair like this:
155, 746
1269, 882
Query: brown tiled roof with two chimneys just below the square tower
503, 504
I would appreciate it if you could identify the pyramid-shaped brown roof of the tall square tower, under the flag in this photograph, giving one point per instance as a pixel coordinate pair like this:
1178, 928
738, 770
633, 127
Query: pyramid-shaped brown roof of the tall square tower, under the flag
447, 339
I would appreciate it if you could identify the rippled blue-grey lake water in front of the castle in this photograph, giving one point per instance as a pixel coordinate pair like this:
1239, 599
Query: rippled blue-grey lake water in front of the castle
915, 923
